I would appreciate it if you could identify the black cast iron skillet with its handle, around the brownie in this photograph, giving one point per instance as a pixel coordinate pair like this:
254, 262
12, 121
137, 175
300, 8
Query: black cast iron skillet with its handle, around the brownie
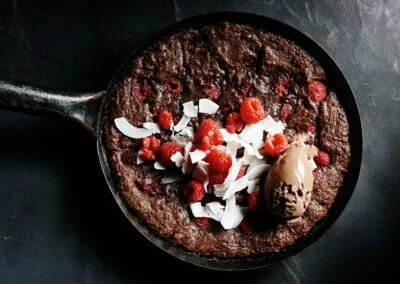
88, 110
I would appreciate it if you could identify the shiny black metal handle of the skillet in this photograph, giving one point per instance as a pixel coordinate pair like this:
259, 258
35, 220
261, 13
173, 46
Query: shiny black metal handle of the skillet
82, 108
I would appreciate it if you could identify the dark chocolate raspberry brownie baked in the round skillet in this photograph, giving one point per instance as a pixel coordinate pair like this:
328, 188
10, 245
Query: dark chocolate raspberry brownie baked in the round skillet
225, 62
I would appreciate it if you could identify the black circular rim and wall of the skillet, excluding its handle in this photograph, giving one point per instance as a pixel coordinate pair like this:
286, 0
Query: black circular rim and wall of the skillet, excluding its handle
345, 97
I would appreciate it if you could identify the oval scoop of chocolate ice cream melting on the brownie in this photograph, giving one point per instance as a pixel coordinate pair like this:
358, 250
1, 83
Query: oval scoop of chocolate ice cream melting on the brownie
290, 180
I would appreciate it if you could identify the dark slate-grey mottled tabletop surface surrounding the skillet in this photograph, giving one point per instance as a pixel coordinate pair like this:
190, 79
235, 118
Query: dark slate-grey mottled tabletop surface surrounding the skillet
58, 221
